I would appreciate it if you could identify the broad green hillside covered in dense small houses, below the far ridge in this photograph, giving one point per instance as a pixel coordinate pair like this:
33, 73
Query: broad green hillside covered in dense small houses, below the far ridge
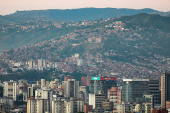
133, 46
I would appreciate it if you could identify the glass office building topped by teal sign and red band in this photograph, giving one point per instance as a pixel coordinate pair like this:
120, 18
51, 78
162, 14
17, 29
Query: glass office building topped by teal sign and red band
102, 84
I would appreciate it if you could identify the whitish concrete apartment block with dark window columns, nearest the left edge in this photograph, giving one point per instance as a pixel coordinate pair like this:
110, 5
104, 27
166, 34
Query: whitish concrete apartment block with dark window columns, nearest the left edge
10, 89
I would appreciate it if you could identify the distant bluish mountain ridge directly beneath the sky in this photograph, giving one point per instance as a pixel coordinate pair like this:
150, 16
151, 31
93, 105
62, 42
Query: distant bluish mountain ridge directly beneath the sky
70, 14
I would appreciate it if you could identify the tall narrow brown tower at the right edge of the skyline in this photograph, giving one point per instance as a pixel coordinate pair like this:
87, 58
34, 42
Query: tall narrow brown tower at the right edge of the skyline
165, 89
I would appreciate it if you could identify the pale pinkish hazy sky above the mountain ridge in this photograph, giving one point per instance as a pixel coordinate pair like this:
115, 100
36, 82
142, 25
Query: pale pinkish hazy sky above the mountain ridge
10, 6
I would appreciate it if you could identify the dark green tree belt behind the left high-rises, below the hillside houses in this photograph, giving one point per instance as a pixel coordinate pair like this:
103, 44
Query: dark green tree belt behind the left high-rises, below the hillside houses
35, 75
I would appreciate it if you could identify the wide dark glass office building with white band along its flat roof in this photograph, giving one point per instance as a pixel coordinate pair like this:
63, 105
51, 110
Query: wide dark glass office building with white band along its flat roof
134, 89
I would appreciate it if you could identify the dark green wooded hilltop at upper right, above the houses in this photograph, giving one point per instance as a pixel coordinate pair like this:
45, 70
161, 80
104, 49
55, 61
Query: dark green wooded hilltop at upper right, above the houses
144, 20
